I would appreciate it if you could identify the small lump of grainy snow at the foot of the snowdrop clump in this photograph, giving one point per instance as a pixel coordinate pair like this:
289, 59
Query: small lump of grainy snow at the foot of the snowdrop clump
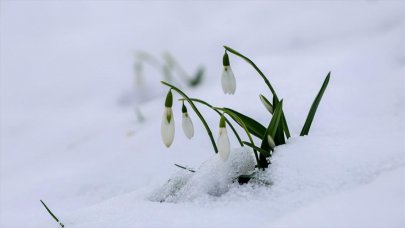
213, 179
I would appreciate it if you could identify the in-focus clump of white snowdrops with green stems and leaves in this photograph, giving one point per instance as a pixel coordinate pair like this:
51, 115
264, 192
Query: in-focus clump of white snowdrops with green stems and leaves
271, 135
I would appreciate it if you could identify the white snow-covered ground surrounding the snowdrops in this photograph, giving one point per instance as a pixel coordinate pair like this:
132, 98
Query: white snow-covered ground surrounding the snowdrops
65, 67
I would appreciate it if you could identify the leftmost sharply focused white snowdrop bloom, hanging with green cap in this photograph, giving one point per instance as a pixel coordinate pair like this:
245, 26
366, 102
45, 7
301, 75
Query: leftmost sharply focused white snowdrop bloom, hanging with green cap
167, 127
